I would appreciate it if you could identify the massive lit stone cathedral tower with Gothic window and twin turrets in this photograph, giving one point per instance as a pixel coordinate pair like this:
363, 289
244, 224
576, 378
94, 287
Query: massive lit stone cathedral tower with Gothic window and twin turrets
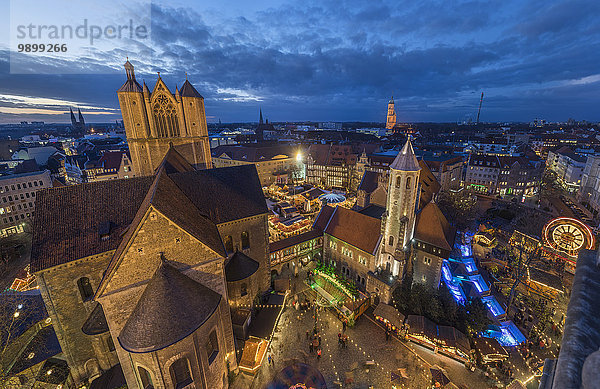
155, 121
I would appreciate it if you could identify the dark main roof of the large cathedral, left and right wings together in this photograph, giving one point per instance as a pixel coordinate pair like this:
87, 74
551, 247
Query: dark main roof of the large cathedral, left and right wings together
68, 219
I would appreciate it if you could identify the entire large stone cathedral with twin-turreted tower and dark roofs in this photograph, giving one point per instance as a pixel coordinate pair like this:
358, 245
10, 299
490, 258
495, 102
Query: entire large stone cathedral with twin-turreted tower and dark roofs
140, 275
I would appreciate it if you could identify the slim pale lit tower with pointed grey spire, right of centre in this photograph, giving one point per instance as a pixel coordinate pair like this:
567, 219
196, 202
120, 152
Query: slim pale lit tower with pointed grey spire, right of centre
399, 219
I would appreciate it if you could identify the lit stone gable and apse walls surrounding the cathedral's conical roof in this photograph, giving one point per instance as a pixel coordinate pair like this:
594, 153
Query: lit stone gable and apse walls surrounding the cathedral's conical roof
157, 234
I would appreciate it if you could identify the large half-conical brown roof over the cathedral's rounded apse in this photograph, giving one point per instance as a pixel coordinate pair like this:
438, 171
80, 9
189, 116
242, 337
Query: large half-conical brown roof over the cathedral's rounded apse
171, 308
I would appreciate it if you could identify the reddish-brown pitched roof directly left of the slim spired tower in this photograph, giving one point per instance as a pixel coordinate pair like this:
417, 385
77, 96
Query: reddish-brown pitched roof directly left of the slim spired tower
354, 228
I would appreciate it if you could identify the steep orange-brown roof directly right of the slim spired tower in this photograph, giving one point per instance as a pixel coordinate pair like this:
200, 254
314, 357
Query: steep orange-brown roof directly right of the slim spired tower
432, 227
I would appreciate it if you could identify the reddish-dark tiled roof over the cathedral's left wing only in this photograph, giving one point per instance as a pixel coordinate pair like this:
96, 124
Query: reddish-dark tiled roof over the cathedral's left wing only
67, 220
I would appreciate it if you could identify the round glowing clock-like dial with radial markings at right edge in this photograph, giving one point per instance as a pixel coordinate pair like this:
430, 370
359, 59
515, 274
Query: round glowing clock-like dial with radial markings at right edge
568, 235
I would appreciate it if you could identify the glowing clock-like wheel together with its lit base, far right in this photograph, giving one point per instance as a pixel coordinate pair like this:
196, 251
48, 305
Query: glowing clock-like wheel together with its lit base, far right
564, 237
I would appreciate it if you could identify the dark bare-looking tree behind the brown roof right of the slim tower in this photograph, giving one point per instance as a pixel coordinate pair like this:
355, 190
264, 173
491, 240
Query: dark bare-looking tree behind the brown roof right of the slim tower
458, 207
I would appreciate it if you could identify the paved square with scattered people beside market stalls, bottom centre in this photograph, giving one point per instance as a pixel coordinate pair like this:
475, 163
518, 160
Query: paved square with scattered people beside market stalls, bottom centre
366, 343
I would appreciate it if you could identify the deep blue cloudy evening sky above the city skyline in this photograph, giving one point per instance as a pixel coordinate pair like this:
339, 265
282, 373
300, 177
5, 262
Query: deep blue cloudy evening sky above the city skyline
324, 60
